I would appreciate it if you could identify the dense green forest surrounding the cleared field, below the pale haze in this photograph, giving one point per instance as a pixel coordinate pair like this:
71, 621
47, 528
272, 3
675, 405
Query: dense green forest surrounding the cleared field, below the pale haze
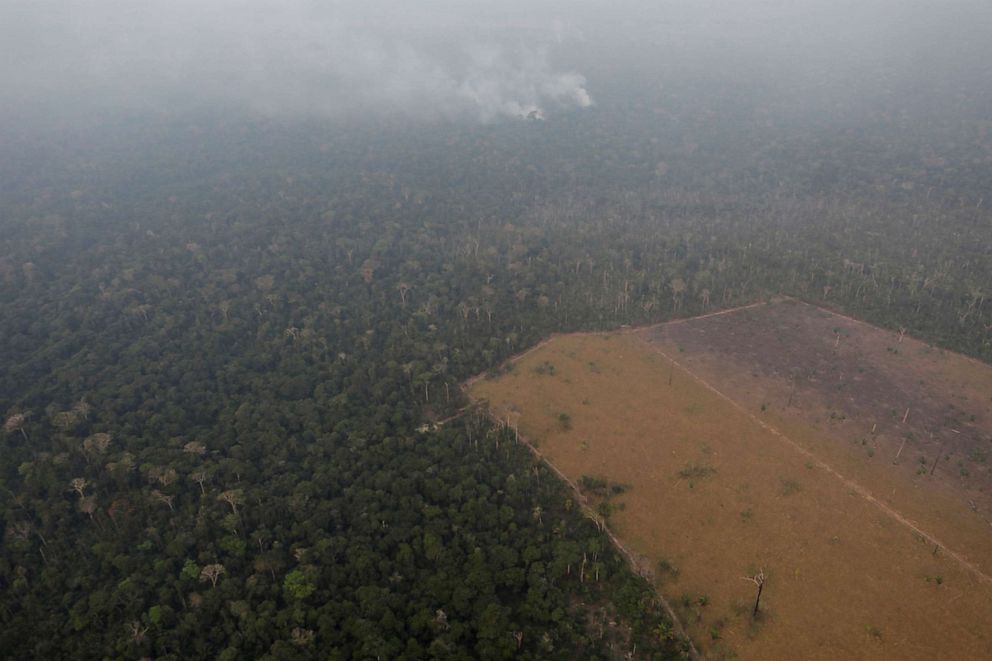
223, 339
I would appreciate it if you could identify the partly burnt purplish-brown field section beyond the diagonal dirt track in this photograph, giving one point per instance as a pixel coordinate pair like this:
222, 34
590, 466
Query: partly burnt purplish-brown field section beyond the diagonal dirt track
902, 418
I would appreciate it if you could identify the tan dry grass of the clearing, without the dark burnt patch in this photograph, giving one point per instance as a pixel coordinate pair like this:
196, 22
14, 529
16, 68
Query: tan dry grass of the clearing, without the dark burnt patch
719, 490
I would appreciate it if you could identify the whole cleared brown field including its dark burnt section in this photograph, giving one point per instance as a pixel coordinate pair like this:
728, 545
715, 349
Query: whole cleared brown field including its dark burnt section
777, 438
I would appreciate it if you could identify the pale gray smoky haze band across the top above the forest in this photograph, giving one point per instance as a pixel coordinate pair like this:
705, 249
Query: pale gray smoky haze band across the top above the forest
474, 59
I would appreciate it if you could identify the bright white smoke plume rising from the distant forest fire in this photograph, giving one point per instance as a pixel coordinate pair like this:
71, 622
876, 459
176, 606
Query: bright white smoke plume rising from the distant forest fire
483, 82
